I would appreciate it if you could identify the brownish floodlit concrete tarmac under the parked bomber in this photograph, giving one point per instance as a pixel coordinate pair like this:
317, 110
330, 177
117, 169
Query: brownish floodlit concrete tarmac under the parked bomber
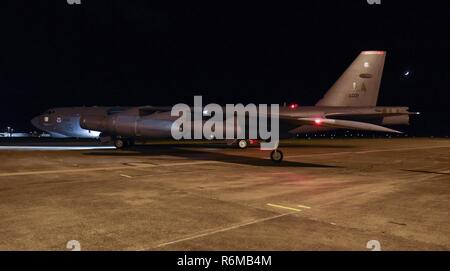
326, 195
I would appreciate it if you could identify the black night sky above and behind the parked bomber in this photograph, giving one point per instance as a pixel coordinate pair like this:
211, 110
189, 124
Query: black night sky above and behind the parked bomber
111, 52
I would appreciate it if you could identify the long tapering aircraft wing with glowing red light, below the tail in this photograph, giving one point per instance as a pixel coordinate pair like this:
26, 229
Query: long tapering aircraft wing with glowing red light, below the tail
339, 124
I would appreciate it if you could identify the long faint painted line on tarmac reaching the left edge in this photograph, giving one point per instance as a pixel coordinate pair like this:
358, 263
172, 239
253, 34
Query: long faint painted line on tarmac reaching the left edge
81, 170
